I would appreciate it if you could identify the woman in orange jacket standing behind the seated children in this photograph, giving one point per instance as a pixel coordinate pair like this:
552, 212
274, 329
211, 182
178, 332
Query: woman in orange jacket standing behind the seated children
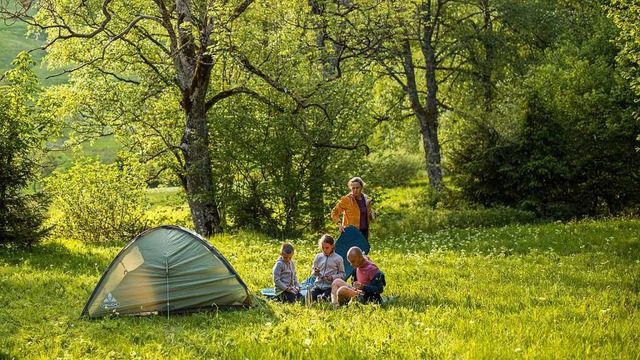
356, 207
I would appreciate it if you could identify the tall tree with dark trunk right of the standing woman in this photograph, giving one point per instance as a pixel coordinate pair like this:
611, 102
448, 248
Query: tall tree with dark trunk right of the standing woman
417, 45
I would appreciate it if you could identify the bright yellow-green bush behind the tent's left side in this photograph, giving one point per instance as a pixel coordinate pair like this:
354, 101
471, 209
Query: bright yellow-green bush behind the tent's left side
98, 203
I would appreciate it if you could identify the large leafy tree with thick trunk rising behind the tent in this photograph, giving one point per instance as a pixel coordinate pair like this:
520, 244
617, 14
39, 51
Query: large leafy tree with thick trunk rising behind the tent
138, 52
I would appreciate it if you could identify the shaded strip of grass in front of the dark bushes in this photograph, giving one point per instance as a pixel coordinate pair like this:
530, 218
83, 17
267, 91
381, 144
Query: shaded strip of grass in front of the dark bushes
503, 242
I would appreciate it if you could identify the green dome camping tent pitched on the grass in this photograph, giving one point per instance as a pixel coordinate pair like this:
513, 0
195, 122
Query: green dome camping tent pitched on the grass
168, 269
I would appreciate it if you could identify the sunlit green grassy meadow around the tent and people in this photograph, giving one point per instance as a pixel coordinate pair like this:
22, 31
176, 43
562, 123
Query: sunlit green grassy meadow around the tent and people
526, 291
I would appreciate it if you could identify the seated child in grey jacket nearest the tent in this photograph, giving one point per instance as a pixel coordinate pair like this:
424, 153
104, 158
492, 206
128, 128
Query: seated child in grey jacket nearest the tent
285, 278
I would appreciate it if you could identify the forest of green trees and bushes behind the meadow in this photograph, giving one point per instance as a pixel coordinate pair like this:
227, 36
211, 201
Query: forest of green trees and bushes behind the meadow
260, 111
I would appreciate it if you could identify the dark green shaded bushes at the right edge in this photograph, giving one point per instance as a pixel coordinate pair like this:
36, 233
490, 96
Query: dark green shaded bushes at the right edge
541, 171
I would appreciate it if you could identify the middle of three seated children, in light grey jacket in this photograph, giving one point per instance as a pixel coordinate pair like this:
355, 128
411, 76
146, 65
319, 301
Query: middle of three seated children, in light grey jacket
327, 266
